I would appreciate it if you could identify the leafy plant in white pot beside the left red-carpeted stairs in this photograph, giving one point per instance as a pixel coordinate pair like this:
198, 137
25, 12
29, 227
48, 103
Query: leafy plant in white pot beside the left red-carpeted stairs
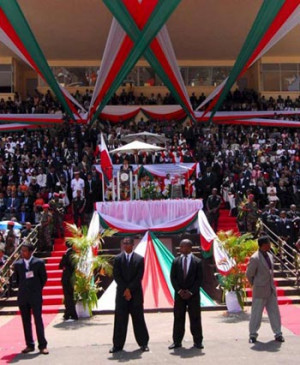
87, 264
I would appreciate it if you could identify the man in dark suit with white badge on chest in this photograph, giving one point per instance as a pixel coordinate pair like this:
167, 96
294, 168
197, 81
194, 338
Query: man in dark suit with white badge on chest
30, 276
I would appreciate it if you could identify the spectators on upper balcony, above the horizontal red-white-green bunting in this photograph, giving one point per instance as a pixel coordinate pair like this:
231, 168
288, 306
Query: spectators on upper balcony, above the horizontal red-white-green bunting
246, 100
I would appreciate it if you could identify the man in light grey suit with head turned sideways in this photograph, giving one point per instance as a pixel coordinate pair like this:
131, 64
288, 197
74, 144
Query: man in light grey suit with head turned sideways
260, 275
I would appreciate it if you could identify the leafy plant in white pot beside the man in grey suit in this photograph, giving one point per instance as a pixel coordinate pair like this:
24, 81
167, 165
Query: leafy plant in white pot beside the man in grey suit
234, 285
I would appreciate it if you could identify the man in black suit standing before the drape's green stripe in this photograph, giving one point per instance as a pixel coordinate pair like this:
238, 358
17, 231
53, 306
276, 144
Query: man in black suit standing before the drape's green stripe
186, 278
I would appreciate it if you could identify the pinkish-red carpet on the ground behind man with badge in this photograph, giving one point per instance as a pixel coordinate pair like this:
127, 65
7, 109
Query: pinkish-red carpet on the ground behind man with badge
12, 338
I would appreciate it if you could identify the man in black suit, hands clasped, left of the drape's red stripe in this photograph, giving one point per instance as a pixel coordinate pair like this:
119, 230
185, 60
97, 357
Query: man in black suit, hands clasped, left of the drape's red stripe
128, 273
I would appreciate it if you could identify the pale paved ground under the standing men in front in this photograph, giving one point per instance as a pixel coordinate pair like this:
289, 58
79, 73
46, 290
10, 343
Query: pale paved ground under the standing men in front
225, 342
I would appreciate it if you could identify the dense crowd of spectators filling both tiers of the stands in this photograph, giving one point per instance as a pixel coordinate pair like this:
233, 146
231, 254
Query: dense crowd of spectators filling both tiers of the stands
46, 172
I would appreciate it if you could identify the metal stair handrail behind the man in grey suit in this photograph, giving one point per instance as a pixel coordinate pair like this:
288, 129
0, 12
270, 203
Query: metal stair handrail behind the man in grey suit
293, 266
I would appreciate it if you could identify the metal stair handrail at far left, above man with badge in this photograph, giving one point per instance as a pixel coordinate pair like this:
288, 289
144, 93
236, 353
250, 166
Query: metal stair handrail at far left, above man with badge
6, 270
